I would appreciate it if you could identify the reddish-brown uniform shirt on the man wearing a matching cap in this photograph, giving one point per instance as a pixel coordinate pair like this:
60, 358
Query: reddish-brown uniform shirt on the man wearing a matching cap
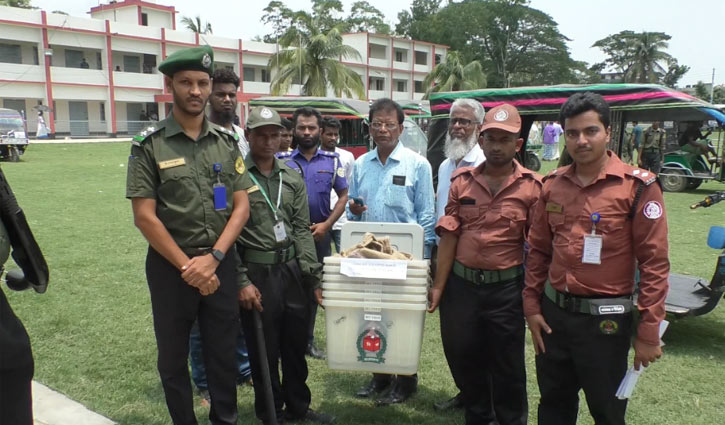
491, 229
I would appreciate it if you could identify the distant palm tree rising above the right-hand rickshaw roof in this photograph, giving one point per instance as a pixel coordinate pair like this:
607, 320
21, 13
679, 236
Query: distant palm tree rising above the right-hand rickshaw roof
646, 55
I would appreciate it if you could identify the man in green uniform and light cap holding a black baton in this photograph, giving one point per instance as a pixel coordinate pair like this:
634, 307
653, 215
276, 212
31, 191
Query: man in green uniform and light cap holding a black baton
280, 271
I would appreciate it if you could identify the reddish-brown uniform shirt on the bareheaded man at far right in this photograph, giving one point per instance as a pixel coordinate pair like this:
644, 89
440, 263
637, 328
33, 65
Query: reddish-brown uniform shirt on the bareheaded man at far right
562, 218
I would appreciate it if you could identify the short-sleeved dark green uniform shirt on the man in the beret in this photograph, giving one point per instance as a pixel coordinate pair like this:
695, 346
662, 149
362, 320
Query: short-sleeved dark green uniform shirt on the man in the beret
166, 165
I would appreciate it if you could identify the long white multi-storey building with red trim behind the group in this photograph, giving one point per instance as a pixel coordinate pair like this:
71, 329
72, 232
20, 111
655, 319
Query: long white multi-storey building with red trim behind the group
99, 75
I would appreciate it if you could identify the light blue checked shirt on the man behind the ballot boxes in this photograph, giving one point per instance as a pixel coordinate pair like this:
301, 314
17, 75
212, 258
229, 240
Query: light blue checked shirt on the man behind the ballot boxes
401, 191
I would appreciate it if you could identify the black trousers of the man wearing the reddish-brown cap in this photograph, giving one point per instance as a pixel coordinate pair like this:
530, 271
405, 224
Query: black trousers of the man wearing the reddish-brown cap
482, 329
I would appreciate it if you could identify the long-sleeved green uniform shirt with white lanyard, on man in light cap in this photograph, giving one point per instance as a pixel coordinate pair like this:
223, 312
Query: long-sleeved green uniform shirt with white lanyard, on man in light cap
293, 211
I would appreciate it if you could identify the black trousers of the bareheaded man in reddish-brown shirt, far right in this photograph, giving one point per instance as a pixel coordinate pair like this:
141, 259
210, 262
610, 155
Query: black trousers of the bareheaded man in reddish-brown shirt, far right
582, 352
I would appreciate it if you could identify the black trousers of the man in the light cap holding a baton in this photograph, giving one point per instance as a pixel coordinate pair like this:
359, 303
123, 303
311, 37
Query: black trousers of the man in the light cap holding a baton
285, 317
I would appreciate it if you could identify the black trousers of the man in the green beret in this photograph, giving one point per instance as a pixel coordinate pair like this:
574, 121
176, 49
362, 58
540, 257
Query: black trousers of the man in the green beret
175, 306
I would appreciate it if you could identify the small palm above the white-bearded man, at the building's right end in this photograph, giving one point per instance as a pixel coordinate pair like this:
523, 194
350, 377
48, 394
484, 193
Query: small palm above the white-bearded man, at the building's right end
453, 74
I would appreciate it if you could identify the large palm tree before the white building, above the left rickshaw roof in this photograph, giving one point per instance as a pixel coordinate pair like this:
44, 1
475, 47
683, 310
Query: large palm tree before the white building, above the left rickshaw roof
313, 59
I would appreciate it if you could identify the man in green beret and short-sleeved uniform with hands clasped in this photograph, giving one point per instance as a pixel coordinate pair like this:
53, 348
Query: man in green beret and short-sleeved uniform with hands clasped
187, 185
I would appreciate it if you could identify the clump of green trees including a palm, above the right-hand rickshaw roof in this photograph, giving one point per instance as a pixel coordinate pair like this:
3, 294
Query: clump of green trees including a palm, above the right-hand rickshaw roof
639, 56
